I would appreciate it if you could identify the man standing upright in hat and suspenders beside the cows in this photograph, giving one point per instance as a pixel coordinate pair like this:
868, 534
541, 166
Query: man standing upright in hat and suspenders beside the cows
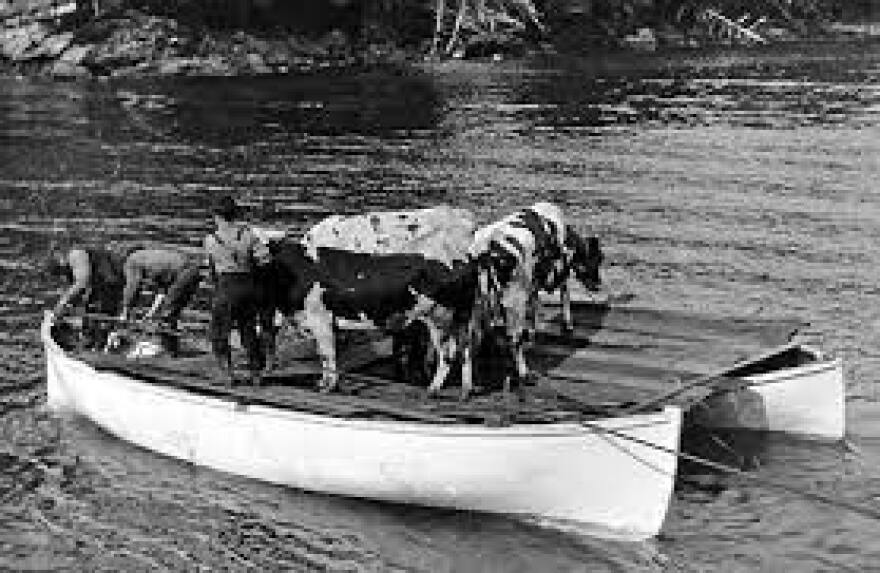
237, 300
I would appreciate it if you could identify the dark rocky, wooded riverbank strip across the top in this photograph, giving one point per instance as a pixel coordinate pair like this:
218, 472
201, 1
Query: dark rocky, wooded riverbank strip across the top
232, 37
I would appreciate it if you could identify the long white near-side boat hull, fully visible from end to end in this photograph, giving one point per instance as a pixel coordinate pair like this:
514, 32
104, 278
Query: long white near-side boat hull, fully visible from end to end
608, 476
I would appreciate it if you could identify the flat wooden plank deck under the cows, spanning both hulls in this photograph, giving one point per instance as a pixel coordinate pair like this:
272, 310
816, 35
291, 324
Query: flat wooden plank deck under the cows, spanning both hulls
619, 357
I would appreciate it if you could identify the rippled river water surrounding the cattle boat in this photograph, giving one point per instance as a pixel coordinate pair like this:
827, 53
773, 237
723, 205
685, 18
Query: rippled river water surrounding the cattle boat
736, 182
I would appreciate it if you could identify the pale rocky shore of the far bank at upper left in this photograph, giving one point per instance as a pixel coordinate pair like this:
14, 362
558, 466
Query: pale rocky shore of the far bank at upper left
55, 39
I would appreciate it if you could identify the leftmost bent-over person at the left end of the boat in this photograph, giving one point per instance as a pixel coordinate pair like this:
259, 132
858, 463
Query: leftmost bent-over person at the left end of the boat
96, 281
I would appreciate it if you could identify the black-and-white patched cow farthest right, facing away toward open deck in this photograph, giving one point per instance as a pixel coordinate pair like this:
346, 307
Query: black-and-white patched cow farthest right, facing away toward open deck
530, 251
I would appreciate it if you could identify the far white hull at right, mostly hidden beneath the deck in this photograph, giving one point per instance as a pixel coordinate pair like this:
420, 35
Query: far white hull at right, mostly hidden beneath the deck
806, 401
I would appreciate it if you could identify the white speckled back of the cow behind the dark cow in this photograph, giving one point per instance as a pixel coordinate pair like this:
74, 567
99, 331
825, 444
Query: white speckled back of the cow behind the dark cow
440, 233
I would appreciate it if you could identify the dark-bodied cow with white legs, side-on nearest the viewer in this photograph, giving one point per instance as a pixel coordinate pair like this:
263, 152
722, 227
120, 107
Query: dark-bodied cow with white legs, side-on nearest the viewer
315, 287
